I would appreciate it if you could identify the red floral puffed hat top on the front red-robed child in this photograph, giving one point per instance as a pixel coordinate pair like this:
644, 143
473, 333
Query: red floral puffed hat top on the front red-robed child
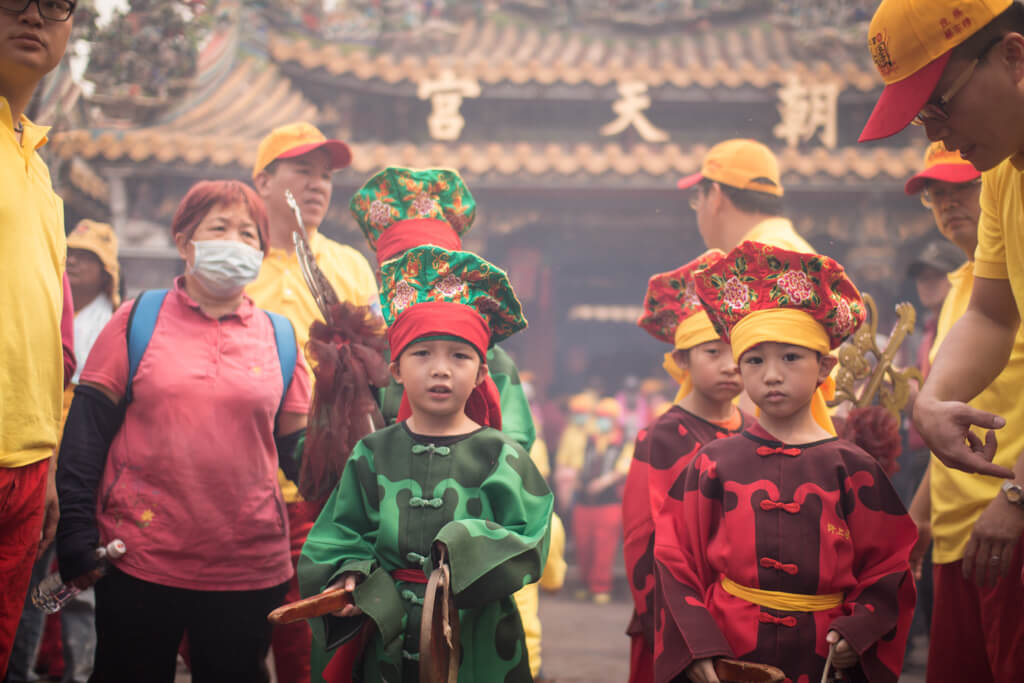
756, 277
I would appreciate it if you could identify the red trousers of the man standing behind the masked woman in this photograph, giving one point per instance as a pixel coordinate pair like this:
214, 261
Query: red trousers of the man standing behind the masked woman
292, 643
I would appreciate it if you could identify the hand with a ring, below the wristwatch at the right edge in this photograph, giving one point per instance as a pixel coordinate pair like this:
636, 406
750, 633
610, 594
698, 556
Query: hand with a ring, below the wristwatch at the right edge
991, 549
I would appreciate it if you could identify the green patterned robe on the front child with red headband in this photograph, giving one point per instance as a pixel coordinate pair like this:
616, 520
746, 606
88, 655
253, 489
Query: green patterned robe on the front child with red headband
483, 498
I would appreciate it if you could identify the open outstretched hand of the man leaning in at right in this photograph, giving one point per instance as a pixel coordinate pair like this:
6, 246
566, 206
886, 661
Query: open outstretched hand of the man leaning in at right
946, 426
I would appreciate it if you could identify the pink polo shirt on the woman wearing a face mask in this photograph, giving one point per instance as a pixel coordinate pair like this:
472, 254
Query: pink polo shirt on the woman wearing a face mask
191, 483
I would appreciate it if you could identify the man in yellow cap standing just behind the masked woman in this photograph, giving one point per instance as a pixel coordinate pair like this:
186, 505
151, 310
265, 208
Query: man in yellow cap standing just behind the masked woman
300, 158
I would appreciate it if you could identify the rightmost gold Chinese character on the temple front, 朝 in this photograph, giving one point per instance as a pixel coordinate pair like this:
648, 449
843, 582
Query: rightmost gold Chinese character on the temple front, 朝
807, 109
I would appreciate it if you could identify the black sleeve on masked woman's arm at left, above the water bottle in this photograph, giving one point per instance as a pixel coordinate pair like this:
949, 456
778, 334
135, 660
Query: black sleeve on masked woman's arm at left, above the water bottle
93, 422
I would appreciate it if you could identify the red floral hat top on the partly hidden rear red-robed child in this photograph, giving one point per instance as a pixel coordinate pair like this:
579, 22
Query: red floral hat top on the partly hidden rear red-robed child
672, 298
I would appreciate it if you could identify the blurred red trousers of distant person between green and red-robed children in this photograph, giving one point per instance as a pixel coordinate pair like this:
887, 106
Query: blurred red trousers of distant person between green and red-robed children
598, 531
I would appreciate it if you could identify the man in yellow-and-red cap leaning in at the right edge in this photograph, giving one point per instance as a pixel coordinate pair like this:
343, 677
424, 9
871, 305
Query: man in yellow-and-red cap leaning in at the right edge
955, 68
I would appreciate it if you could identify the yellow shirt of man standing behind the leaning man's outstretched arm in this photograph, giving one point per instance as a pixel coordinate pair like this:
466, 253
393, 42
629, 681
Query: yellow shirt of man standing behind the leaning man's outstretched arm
959, 498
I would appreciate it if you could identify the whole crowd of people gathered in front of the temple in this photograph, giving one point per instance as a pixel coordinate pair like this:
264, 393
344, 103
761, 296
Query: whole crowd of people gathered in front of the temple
756, 522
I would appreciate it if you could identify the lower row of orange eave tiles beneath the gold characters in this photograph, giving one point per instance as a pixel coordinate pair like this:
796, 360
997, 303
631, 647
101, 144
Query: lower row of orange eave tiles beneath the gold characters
172, 145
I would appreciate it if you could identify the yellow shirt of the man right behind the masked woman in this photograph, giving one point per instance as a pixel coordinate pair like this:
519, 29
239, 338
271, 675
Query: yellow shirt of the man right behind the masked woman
281, 289
